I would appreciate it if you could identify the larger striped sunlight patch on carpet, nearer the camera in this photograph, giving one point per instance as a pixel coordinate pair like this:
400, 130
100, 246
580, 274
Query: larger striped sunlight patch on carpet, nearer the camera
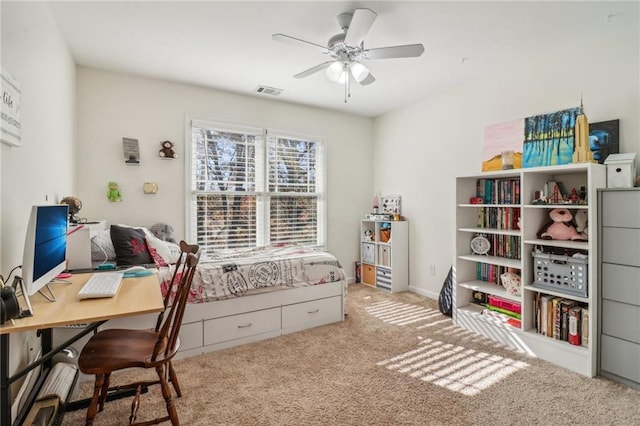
453, 367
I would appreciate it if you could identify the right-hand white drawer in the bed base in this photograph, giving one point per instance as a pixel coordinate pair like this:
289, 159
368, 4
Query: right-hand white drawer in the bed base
311, 314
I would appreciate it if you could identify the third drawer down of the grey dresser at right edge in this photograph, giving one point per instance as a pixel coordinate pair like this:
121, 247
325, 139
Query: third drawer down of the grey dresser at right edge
621, 283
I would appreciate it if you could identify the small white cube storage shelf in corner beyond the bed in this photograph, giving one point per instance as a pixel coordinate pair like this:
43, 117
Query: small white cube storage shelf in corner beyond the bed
384, 255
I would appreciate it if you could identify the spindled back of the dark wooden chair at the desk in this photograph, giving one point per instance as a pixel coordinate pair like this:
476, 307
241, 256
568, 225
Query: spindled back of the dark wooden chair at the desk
169, 329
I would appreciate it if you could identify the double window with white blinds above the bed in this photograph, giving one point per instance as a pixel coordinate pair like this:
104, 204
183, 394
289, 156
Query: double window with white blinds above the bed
253, 187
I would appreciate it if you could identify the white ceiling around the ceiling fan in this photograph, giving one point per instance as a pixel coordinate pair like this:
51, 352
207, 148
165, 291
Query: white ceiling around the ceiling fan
228, 45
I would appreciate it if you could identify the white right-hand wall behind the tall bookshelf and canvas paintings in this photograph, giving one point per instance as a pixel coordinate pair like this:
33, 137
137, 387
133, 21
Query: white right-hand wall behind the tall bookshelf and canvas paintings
444, 134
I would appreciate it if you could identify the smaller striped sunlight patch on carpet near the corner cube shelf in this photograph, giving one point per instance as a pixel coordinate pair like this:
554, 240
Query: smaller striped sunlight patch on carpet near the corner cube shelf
404, 314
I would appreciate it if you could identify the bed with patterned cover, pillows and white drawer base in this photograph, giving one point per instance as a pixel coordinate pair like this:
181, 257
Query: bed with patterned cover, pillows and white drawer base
240, 296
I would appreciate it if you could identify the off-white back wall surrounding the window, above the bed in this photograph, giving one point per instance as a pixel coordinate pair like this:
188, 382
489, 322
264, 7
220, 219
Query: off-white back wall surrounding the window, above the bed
112, 106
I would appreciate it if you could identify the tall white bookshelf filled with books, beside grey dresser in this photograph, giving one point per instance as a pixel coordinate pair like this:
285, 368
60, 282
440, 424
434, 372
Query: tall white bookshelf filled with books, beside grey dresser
510, 218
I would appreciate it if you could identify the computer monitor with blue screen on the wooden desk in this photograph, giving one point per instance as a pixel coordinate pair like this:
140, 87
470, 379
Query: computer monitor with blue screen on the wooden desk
45, 246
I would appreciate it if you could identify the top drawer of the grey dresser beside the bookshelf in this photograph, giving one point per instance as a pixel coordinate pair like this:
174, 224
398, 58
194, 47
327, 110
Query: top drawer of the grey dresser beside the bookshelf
621, 208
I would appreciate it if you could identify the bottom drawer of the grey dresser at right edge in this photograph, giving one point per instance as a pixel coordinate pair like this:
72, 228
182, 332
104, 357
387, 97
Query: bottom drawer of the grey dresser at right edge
620, 357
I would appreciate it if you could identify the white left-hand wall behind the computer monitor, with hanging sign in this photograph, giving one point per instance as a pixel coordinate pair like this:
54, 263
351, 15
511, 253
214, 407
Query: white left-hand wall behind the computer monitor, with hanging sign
41, 170
